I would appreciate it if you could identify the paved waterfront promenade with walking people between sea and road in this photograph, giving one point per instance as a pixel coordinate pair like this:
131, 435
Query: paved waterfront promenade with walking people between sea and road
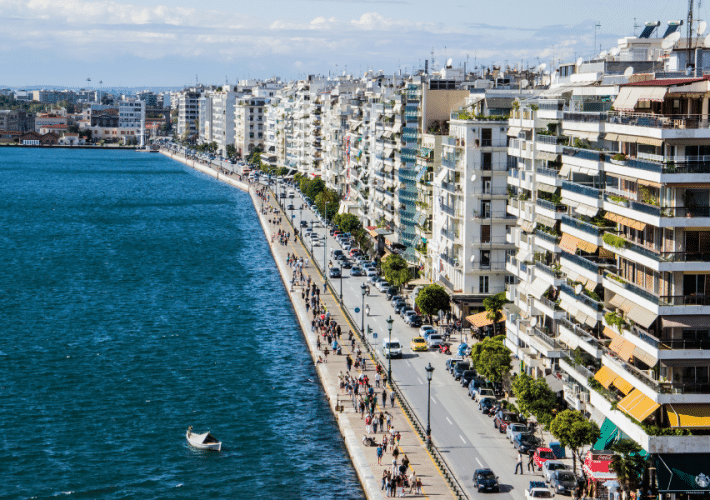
350, 422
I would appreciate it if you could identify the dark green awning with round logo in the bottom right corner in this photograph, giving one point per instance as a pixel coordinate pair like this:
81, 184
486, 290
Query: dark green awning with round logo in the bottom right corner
683, 473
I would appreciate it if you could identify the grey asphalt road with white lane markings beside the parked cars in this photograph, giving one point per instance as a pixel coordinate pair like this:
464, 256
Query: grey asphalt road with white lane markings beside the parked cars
461, 433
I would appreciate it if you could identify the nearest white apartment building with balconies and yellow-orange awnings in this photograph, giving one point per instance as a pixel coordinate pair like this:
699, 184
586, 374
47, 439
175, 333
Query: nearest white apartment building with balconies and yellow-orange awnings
611, 296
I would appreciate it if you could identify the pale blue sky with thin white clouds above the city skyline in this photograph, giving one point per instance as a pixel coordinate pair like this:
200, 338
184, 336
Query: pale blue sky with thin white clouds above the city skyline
174, 43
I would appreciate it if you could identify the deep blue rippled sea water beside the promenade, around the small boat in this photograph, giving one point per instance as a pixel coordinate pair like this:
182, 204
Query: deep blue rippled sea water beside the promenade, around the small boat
138, 297
